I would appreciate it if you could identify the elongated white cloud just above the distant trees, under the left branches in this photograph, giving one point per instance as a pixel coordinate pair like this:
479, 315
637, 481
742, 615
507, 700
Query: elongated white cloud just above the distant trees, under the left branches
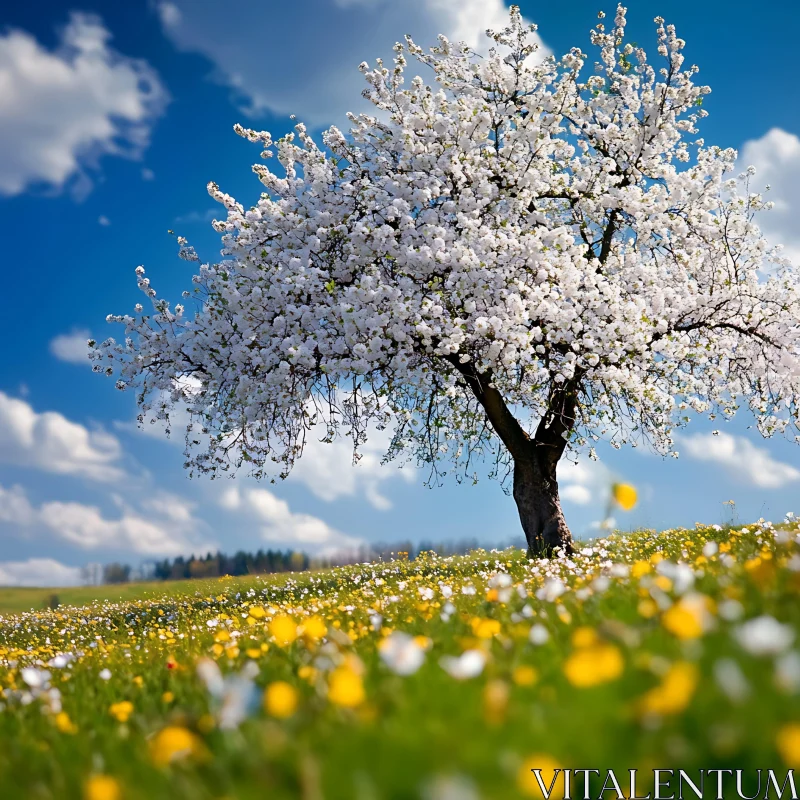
285, 527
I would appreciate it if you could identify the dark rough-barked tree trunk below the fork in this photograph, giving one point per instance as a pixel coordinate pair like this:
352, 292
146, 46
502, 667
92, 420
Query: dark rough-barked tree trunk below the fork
536, 495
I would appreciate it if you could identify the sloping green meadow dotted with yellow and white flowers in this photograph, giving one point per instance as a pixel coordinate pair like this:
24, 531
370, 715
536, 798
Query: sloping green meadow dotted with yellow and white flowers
444, 679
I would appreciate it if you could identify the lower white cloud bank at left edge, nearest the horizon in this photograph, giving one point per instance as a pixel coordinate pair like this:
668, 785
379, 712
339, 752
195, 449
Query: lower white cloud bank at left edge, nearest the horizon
167, 528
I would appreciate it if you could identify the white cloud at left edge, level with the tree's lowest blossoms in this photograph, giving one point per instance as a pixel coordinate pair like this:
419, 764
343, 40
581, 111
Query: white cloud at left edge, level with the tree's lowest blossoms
50, 442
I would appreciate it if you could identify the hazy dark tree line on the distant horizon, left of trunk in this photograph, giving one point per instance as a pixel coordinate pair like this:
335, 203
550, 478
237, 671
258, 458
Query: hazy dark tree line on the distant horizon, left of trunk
216, 565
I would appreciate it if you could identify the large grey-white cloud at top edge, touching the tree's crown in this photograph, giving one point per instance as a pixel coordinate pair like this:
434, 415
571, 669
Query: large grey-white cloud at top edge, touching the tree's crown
309, 66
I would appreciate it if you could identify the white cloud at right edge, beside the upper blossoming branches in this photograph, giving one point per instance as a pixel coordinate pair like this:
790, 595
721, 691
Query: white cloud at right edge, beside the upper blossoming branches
776, 157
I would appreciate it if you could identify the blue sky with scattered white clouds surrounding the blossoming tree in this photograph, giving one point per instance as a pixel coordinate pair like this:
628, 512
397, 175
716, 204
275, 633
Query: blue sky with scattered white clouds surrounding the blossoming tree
114, 116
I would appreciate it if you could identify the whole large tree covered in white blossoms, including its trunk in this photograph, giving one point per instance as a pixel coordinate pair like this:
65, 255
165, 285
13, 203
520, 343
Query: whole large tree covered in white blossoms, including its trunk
508, 263
